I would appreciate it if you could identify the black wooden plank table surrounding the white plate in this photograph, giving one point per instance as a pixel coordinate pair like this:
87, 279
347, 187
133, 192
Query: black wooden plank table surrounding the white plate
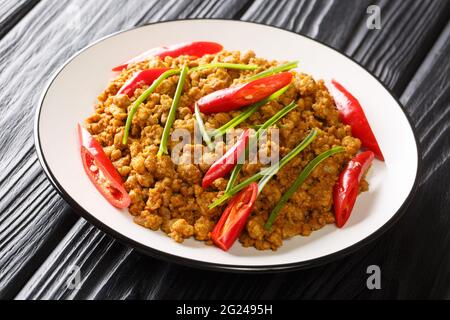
41, 238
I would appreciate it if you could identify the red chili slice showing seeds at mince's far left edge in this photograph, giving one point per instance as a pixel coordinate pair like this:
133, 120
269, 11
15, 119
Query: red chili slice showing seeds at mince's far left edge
101, 171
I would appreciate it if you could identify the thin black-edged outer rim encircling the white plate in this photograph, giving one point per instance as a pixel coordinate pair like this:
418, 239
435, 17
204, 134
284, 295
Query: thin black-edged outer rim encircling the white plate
155, 253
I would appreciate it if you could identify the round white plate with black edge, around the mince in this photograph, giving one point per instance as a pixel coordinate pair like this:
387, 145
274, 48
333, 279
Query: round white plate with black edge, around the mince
71, 94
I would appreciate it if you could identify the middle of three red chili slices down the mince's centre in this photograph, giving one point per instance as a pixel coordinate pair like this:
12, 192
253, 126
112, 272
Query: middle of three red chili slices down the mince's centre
227, 162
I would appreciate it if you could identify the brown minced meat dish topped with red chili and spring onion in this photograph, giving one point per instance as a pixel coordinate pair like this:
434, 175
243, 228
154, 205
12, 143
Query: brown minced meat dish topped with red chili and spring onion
324, 145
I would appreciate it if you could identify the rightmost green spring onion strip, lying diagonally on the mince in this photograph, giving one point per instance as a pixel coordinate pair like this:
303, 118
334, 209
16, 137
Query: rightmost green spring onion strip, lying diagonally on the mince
298, 182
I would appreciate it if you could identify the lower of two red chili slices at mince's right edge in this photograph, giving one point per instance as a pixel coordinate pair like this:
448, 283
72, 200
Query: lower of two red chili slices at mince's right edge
347, 188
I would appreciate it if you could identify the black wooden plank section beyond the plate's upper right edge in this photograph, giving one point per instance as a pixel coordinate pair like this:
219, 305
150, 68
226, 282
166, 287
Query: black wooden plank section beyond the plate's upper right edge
408, 30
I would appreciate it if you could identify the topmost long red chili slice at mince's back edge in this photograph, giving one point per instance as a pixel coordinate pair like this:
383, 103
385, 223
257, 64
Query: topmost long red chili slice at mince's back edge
194, 49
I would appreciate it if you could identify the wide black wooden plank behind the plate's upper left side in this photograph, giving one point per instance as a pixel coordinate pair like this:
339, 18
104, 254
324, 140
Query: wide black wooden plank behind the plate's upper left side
33, 218
